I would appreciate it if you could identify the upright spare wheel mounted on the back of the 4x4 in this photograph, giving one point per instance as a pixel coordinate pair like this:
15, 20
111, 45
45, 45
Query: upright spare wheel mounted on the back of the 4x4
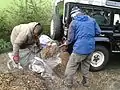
56, 30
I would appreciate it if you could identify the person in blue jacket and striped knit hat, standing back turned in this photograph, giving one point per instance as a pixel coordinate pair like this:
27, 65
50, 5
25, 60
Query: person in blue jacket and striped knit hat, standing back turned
82, 31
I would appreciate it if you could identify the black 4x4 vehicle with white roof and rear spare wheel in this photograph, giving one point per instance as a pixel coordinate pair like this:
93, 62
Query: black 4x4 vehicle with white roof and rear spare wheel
107, 15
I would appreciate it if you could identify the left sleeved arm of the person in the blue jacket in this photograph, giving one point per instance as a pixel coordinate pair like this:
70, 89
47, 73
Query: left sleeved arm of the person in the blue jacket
71, 33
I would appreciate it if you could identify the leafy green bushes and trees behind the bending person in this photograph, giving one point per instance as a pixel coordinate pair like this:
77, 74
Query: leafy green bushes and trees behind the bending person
22, 11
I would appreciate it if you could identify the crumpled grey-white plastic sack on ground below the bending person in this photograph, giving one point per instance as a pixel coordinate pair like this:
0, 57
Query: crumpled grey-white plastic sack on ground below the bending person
35, 64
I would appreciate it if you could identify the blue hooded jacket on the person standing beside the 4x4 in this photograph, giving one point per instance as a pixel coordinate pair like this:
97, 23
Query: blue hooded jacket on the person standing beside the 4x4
82, 31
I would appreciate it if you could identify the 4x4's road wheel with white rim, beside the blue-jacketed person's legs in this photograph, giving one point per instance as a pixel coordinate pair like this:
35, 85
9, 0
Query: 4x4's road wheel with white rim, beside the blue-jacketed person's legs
99, 58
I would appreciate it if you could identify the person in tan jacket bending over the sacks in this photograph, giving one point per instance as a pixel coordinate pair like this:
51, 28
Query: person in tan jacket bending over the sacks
23, 36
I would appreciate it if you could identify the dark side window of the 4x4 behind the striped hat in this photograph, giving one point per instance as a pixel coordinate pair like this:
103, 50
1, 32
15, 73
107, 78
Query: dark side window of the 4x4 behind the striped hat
102, 15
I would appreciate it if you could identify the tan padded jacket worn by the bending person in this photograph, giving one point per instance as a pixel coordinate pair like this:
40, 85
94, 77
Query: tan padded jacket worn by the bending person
22, 35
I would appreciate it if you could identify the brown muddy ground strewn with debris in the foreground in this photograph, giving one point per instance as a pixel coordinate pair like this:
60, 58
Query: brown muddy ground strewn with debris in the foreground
108, 79
